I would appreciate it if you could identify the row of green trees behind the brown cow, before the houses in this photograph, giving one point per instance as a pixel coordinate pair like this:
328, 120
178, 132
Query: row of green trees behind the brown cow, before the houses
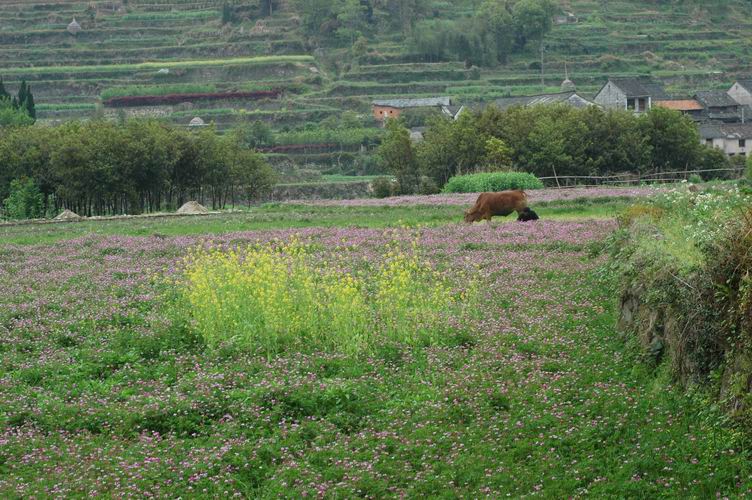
556, 140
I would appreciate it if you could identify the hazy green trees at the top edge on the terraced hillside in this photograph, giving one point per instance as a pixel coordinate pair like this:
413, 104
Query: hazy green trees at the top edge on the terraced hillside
498, 29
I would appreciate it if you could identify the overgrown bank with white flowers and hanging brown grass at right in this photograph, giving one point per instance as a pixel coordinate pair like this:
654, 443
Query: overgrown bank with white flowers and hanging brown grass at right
685, 258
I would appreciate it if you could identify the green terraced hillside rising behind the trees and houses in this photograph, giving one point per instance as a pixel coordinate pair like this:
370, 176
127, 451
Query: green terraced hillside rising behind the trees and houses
159, 47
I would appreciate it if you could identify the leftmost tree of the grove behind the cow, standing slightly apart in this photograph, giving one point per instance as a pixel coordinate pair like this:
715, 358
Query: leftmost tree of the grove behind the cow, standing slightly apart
397, 156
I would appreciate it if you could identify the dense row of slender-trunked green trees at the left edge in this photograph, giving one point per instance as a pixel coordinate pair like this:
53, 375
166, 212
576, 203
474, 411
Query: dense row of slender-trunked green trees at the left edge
103, 167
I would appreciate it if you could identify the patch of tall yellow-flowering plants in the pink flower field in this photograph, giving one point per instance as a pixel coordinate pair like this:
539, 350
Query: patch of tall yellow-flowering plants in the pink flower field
270, 299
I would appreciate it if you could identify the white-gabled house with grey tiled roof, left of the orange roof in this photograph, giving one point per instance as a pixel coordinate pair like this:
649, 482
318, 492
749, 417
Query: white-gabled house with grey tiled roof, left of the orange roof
636, 94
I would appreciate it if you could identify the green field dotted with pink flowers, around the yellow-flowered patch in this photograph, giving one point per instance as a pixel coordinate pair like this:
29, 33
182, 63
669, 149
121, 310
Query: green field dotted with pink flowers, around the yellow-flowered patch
108, 390
